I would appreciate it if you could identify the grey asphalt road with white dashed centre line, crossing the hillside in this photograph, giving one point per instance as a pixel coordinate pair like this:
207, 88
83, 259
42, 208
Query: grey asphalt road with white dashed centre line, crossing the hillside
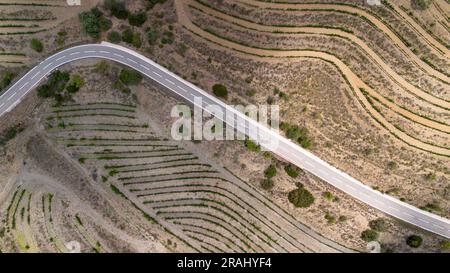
285, 148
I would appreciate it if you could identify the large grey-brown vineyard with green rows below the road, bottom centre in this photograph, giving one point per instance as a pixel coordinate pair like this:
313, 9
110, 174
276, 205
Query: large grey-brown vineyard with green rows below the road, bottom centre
206, 206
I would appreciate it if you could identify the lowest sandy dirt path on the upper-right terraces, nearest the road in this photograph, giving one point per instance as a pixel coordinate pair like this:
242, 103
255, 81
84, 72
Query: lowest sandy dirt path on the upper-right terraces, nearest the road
354, 81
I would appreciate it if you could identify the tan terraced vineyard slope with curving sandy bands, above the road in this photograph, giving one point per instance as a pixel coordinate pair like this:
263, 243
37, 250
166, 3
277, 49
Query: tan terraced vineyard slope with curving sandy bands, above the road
423, 125
